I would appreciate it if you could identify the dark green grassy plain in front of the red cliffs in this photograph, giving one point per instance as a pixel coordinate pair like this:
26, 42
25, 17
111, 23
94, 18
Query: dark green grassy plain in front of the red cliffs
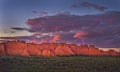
59, 64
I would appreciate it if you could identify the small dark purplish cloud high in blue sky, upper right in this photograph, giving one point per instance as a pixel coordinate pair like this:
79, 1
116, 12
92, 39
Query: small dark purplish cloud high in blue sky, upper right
89, 5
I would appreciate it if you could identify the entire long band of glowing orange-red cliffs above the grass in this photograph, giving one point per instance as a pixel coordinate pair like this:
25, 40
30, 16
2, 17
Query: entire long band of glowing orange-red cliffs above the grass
20, 48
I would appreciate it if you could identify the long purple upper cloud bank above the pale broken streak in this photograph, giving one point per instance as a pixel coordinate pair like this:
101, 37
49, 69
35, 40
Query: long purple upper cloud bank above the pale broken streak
71, 22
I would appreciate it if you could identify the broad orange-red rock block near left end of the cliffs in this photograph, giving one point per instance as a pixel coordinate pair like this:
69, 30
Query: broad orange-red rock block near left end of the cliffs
16, 48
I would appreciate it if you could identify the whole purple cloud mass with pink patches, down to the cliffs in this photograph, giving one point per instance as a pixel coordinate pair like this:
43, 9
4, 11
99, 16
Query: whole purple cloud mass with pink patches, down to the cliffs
101, 30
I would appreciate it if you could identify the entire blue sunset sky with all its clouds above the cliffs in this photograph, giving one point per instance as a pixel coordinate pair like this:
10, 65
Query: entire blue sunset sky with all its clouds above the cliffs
68, 21
